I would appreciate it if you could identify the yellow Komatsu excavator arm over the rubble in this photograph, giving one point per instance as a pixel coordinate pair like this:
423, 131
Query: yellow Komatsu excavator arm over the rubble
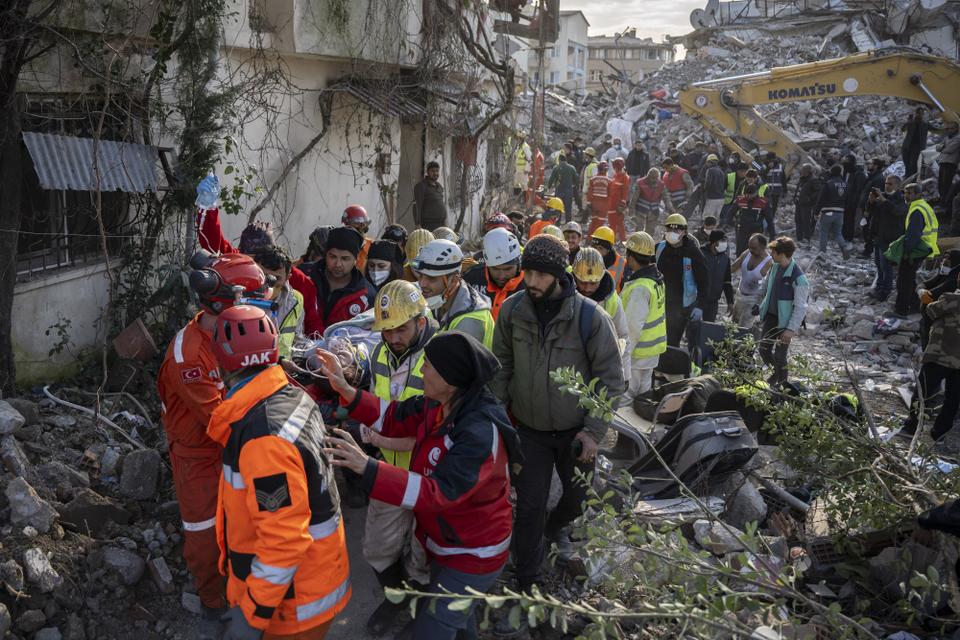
727, 106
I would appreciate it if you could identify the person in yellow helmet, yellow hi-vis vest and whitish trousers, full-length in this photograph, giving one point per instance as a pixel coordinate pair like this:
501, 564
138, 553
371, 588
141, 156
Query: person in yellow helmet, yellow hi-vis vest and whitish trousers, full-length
644, 302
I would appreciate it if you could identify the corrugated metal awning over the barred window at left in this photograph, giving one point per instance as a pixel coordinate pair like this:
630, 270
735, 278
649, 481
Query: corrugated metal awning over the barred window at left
66, 162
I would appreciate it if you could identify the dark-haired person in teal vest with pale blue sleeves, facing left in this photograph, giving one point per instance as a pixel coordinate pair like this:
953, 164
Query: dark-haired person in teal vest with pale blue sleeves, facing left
783, 308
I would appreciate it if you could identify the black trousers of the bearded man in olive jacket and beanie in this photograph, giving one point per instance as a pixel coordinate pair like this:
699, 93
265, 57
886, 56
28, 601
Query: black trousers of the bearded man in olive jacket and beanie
542, 451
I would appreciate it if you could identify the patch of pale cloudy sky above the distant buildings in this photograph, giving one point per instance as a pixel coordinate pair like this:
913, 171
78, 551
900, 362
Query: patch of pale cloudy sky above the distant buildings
652, 18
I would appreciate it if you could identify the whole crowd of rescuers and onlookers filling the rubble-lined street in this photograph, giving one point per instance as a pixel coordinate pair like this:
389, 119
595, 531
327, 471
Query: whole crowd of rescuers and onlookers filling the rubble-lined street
457, 407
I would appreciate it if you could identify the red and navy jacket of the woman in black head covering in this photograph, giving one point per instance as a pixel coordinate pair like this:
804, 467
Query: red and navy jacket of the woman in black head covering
458, 485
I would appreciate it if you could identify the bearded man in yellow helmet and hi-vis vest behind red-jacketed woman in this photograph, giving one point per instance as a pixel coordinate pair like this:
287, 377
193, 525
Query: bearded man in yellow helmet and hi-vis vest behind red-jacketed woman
400, 316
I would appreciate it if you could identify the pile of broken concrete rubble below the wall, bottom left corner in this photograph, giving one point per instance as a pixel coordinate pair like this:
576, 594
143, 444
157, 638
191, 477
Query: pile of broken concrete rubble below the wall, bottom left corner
90, 529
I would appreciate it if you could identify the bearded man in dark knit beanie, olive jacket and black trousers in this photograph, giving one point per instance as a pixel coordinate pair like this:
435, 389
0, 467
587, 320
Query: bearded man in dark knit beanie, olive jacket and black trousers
547, 319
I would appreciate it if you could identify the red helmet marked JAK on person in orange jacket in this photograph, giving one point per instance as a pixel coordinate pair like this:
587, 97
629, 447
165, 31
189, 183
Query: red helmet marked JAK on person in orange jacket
245, 337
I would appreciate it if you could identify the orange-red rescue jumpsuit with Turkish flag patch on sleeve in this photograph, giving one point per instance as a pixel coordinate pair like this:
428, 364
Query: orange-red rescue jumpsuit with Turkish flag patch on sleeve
190, 389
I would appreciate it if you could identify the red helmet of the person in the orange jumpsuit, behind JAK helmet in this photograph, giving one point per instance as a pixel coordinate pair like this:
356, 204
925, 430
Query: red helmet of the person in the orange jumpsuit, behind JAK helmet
219, 281
